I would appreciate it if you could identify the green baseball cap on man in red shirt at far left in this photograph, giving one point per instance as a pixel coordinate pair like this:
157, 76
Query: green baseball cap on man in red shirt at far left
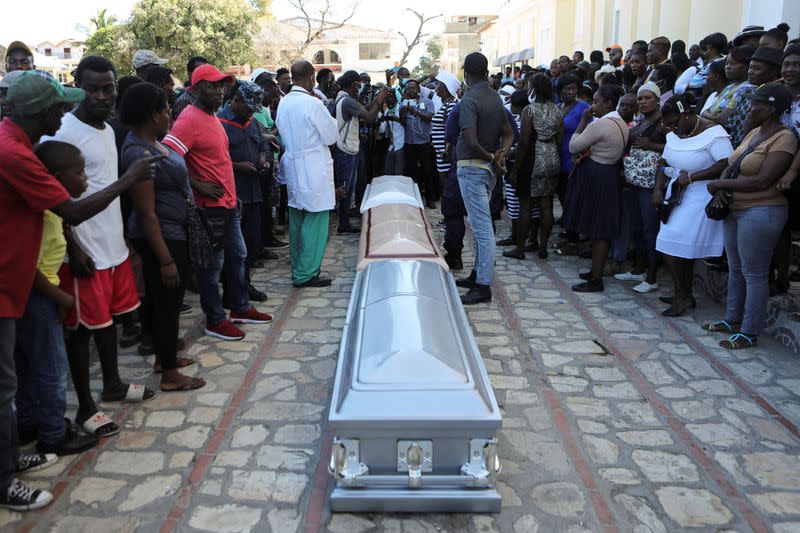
36, 91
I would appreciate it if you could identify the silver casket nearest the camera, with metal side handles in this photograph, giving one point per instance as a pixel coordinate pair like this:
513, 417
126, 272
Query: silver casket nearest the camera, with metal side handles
413, 413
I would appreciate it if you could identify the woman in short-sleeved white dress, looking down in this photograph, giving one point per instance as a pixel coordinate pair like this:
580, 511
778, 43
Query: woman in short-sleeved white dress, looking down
697, 150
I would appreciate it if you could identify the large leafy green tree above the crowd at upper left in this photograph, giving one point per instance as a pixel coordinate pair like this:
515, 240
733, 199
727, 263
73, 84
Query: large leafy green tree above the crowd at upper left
220, 30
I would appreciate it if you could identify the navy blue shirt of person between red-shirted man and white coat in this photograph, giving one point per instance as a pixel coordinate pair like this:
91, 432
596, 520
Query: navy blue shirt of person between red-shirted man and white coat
245, 143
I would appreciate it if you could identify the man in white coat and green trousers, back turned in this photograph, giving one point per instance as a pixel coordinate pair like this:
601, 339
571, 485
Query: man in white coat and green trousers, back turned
307, 130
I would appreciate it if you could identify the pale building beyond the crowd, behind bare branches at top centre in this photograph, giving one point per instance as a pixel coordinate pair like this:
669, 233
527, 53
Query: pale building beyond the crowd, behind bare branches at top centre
339, 49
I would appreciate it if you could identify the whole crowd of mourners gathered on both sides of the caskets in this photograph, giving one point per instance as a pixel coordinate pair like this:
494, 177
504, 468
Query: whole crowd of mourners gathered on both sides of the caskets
122, 192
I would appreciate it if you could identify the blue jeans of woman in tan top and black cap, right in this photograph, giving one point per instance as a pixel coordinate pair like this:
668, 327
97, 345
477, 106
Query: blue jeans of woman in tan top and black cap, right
750, 237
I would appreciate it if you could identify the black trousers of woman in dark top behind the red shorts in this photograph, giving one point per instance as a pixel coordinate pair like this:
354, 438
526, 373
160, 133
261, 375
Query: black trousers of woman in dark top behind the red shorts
163, 305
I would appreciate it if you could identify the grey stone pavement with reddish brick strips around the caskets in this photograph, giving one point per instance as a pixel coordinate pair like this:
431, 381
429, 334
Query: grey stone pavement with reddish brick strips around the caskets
615, 419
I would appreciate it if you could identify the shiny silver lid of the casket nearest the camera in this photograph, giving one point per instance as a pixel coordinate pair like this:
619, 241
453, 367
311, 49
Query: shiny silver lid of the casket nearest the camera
408, 353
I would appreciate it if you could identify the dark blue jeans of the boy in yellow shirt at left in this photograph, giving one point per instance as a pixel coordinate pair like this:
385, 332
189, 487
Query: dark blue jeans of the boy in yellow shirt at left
41, 359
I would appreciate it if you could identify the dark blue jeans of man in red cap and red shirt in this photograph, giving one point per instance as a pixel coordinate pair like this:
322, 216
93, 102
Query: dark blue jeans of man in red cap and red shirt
232, 258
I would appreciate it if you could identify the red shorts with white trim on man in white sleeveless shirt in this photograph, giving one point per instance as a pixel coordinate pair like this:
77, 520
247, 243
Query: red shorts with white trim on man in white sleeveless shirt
100, 297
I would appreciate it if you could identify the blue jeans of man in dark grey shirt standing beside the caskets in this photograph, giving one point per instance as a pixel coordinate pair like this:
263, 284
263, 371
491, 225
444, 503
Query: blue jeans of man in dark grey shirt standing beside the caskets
476, 186
